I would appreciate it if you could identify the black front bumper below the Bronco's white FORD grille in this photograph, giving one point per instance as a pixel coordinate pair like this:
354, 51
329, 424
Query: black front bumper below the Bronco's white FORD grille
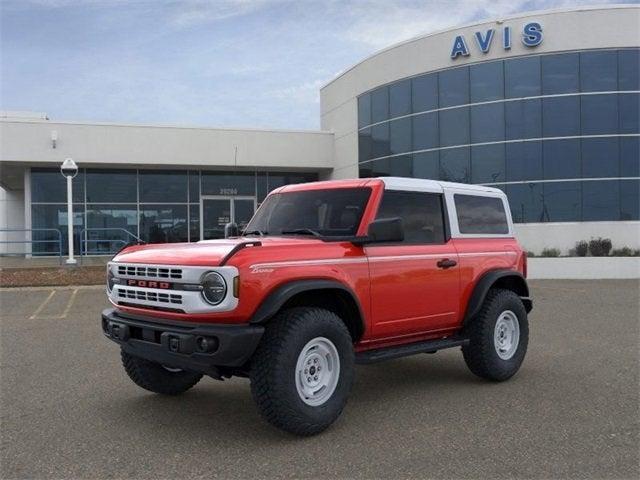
181, 345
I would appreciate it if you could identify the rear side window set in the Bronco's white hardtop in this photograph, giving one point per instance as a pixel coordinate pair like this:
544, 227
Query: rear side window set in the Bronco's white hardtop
480, 215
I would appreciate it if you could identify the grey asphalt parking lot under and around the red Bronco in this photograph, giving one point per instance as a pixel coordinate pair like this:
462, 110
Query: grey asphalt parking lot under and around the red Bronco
69, 411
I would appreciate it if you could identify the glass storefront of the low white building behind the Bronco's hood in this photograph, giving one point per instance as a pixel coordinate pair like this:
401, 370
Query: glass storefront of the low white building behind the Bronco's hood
111, 206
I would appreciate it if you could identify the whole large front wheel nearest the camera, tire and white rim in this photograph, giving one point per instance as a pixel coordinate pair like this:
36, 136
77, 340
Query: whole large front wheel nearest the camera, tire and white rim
302, 371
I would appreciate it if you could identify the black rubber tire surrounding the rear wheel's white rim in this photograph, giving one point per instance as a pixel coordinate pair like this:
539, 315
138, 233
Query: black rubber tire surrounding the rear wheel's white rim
480, 355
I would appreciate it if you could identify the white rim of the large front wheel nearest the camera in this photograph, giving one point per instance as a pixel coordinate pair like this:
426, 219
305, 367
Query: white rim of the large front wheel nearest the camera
317, 371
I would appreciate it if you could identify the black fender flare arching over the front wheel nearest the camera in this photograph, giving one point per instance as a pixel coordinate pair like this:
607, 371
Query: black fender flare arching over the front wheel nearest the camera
283, 293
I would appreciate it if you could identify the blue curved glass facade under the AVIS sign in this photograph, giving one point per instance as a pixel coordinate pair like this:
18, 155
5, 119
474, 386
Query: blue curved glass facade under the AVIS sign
559, 133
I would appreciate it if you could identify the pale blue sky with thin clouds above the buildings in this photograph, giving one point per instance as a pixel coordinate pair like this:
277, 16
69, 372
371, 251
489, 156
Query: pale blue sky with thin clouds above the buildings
216, 63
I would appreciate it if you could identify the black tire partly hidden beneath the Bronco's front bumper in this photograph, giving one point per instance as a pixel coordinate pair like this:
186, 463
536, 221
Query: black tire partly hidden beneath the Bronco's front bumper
157, 378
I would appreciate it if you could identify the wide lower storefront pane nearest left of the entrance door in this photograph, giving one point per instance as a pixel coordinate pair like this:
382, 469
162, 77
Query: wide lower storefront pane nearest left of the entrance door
164, 223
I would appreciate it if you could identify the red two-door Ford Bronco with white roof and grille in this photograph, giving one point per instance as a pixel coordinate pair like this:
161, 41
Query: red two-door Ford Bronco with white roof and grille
326, 275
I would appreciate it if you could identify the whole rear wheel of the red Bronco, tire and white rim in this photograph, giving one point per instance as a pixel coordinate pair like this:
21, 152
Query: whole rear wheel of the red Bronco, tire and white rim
499, 335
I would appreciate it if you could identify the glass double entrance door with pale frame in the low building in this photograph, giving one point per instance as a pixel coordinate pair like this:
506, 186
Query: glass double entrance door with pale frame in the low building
216, 211
